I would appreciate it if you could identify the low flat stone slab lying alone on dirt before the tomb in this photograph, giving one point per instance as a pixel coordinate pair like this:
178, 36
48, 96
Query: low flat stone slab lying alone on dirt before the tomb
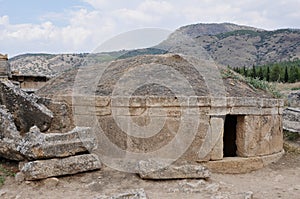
156, 170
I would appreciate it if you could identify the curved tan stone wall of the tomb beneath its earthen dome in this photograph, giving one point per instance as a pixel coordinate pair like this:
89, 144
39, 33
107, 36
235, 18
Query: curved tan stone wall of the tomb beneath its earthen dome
259, 125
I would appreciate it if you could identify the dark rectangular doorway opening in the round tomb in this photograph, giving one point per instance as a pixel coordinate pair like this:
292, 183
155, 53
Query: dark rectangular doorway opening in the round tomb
229, 137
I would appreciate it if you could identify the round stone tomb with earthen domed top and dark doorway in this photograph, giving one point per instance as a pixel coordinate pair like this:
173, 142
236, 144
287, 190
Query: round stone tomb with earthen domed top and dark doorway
237, 131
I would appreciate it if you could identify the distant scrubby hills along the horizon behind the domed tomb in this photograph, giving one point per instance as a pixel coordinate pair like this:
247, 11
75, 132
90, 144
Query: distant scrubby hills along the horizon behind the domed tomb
227, 44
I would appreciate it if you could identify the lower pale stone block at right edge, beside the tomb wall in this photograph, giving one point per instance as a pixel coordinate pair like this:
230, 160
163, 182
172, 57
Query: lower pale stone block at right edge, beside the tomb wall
291, 119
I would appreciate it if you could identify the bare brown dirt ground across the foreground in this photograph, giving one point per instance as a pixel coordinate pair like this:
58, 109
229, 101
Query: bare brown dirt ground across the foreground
278, 180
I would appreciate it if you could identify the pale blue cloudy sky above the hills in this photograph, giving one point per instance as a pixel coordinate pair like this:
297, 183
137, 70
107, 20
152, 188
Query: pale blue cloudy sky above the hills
74, 26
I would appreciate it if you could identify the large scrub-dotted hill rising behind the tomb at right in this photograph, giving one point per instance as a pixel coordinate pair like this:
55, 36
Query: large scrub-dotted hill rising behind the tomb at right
238, 46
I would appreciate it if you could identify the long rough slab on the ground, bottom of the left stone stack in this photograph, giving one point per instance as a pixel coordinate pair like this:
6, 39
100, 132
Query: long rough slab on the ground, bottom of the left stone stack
41, 169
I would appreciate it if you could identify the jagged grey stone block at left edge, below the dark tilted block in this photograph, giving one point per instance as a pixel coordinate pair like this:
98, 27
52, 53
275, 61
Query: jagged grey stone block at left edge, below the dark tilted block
9, 136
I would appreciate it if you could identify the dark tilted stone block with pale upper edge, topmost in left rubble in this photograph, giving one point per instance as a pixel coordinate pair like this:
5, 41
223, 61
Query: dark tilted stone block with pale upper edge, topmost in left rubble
26, 111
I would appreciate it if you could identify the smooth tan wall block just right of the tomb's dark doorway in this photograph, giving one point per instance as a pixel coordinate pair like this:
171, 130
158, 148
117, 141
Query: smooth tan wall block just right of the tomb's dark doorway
259, 135
